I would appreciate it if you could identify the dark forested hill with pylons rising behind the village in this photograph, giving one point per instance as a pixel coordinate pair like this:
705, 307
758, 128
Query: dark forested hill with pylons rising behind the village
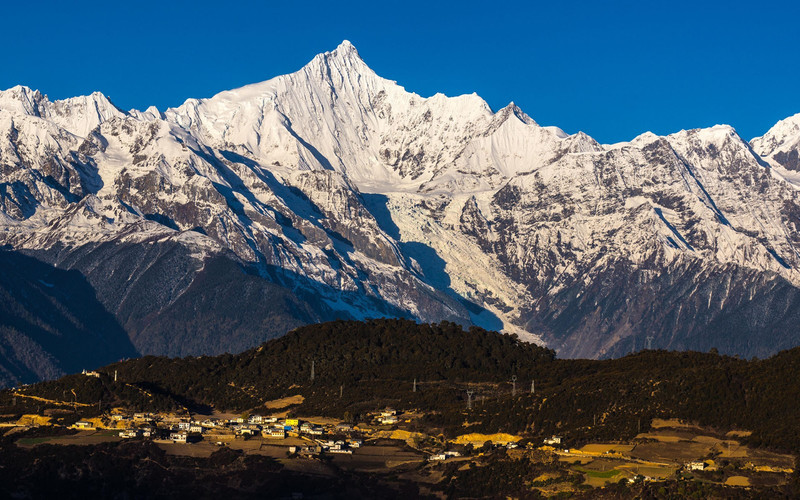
363, 366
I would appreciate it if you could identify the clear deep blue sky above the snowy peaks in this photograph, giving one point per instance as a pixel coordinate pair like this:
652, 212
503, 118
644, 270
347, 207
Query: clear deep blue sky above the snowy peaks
611, 69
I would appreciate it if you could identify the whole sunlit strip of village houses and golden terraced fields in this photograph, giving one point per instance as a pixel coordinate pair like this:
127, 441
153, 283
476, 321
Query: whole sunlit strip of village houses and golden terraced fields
391, 440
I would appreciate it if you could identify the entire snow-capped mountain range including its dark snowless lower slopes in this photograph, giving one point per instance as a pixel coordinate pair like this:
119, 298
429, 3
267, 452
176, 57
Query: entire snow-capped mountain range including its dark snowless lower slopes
344, 195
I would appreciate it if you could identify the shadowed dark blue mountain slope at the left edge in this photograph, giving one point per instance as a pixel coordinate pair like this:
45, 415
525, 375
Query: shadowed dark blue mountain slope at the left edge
51, 323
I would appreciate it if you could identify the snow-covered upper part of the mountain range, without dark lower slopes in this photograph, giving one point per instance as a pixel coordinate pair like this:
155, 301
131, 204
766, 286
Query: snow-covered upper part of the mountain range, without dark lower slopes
438, 207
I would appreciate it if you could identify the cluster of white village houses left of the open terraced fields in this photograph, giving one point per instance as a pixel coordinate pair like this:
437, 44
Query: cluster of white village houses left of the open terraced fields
279, 436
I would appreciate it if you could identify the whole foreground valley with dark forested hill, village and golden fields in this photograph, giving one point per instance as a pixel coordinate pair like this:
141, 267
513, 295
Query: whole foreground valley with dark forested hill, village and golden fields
388, 413
